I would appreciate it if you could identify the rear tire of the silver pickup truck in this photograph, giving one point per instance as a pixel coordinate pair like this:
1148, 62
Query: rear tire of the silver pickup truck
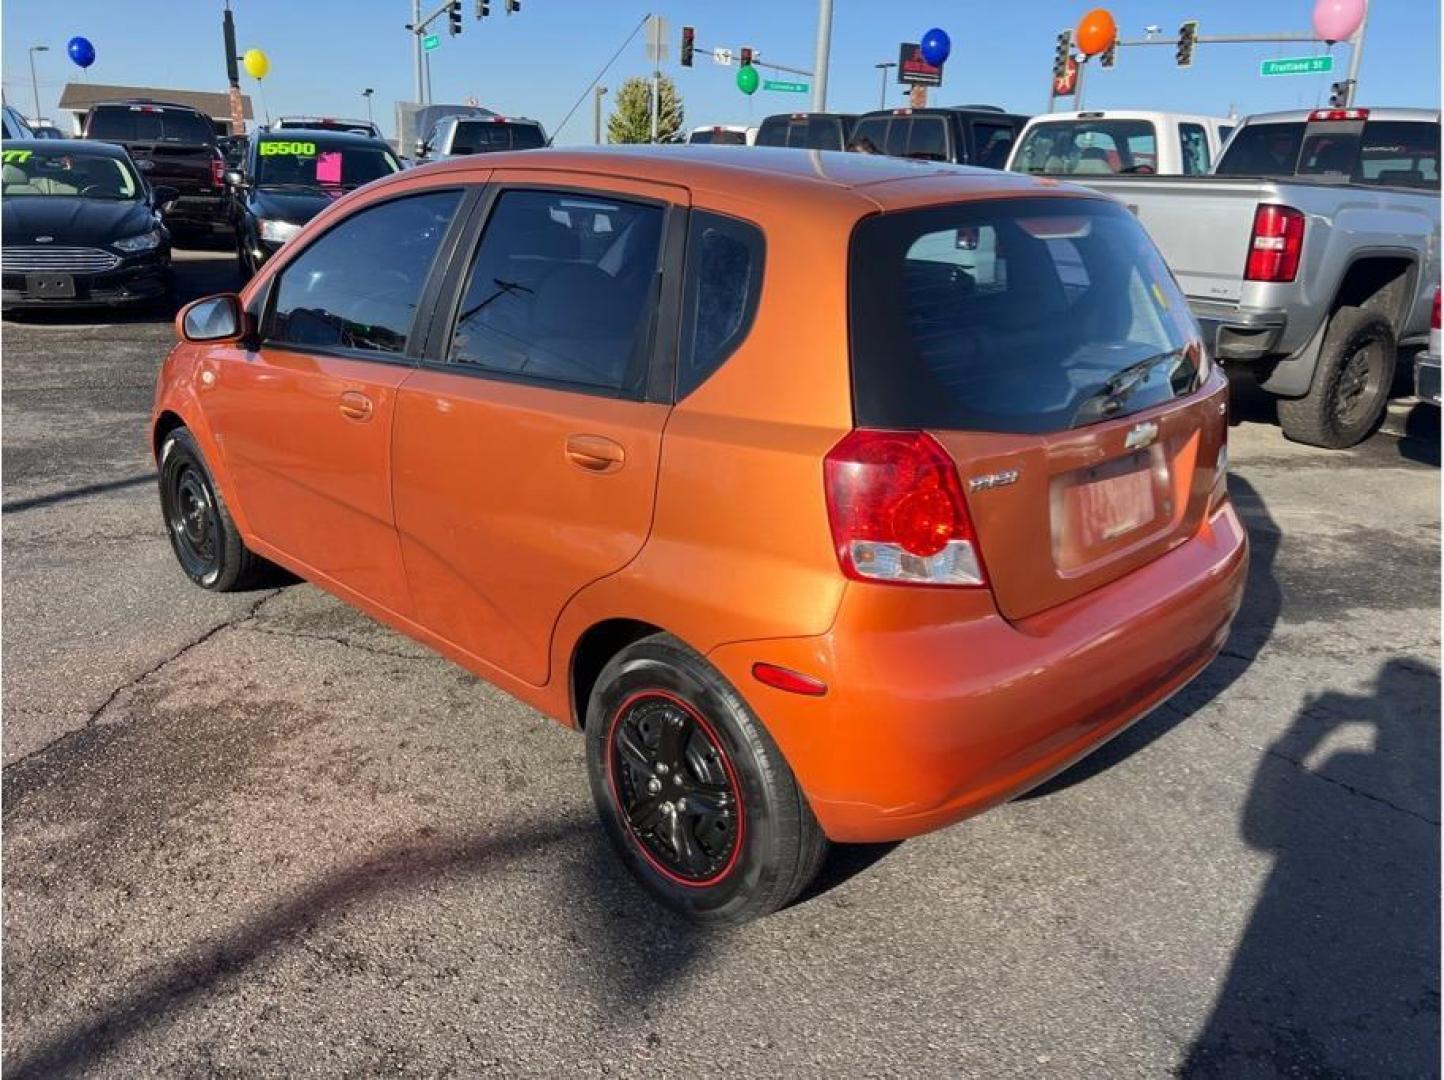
1352, 383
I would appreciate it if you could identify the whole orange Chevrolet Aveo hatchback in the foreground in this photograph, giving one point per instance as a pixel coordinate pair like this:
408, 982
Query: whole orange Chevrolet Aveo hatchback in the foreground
835, 497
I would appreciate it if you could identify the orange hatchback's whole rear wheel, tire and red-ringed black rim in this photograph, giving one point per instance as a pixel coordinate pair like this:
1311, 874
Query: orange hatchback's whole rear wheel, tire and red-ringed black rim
754, 844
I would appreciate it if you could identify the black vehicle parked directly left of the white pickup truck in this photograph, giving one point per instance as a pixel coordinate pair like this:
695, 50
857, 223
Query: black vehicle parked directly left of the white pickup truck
964, 135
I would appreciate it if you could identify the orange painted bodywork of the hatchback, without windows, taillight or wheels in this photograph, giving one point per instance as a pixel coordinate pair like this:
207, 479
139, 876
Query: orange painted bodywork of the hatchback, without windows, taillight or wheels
941, 702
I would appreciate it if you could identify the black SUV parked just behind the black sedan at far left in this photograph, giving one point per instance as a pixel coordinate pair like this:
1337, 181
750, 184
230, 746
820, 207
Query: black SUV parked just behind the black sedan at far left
174, 147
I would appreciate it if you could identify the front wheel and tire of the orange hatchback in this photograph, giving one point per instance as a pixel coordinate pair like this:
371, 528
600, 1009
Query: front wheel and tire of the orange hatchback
203, 535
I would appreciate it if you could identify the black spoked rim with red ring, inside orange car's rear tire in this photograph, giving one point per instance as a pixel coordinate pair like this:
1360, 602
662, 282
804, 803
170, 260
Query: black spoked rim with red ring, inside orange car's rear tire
677, 788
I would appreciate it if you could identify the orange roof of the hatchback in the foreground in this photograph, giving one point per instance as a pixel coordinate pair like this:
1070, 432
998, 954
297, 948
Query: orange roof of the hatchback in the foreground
864, 183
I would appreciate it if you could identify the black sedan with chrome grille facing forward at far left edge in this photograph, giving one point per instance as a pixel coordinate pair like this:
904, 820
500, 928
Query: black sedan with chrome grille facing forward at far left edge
82, 226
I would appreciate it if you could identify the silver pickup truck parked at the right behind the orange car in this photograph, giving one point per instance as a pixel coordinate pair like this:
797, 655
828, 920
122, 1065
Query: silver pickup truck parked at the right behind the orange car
1310, 256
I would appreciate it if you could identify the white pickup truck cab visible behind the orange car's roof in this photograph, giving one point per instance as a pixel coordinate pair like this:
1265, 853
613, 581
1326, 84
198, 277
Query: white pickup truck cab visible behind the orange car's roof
1120, 141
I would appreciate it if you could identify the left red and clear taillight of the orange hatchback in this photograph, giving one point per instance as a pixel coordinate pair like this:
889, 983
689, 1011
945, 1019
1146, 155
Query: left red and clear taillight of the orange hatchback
897, 512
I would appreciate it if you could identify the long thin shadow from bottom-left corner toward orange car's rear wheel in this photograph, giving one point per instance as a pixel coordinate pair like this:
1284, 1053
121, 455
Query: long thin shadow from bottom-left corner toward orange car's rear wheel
183, 983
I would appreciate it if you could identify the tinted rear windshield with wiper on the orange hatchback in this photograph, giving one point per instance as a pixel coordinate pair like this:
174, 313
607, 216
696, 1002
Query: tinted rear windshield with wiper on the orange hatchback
1017, 315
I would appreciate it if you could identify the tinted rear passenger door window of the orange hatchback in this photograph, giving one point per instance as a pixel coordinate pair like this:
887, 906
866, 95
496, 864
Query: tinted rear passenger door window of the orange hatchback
562, 289
